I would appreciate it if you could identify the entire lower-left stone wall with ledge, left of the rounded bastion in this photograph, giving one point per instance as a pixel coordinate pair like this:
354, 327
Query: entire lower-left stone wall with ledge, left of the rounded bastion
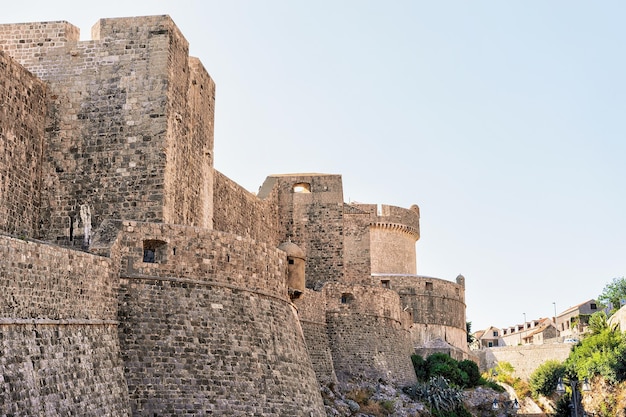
58, 333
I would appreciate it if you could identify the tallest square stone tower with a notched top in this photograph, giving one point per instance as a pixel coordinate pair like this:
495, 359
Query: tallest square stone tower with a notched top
129, 122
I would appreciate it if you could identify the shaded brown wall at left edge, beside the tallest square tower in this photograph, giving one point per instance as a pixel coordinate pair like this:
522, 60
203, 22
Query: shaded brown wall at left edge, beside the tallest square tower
22, 120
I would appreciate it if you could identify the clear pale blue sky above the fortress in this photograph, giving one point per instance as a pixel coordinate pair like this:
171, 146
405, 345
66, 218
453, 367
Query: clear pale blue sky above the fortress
503, 120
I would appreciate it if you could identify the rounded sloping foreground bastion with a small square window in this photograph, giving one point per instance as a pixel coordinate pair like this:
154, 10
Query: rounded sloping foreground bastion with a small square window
208, 327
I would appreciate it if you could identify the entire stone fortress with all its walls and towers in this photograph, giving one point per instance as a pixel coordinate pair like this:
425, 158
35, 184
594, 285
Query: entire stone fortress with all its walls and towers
170, 295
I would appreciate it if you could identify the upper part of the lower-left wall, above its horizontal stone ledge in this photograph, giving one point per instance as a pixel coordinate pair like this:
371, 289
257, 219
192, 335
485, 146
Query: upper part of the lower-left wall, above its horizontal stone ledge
42, 281
